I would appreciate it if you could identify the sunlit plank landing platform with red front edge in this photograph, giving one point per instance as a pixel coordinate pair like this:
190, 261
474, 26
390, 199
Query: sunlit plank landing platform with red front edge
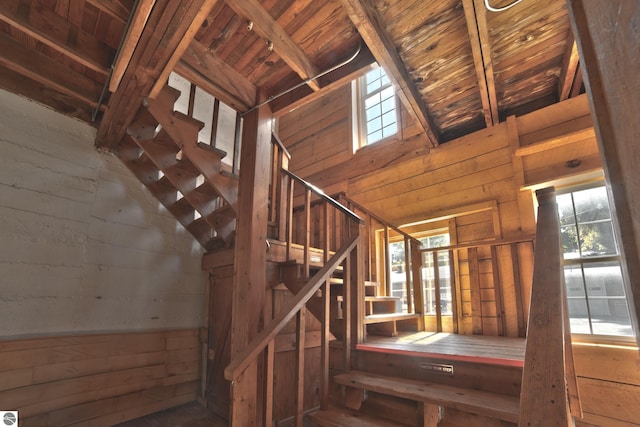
467, 348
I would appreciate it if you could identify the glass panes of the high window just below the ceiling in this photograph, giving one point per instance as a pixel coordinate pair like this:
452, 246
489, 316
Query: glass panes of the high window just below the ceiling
378, 113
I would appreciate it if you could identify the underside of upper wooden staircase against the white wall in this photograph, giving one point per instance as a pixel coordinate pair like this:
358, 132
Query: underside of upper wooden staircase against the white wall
187, 176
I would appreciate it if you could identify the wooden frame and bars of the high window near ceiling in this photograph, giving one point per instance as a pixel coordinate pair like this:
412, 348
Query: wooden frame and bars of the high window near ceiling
358, 89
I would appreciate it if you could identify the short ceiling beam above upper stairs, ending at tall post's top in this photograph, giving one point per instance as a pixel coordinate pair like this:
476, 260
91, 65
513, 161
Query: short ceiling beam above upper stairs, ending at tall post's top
207, 71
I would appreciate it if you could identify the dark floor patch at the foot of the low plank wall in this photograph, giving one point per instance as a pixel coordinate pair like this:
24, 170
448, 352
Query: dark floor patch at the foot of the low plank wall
189, 415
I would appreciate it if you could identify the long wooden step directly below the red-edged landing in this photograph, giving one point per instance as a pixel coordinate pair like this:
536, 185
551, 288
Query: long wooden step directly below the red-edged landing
494, 405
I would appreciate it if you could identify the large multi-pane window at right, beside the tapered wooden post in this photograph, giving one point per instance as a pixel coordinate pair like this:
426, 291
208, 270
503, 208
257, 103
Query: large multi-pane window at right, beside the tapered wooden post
593, 276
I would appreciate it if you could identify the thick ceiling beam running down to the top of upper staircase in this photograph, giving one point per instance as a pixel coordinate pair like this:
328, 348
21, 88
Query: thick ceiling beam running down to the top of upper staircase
166, 28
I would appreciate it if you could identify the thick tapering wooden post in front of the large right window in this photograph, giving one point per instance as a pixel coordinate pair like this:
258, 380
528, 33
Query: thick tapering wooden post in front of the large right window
549, 390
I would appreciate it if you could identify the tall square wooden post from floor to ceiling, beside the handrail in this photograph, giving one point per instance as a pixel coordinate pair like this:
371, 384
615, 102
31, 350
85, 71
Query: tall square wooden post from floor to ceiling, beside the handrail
250, 258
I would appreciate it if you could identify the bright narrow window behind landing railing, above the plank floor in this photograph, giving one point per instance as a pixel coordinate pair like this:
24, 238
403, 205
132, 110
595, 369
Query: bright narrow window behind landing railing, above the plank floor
429, 275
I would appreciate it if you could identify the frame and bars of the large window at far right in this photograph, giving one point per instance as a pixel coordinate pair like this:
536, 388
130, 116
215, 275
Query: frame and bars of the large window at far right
581, 261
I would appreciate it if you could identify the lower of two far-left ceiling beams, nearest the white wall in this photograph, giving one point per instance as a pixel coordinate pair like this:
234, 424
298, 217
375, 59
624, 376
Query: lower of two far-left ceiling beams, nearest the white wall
46, 71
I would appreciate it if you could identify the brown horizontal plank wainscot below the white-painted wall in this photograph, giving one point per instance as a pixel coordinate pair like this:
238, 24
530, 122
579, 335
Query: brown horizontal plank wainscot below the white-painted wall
98, 379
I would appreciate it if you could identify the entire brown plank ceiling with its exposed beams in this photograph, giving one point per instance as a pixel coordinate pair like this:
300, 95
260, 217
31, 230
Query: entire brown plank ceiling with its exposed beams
457, 66
